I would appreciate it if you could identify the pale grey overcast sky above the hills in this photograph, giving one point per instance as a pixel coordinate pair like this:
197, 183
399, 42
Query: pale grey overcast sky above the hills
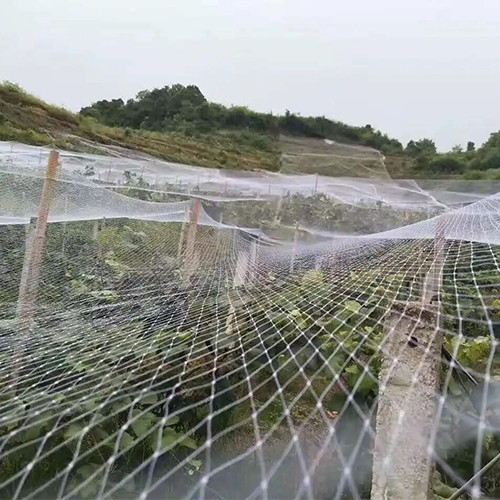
419, 68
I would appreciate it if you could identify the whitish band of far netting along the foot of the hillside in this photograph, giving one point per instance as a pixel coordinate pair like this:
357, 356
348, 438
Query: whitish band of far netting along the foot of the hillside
144, 173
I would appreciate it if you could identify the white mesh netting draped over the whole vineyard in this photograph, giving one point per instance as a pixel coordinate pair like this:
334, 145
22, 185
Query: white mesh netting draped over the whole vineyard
220, 339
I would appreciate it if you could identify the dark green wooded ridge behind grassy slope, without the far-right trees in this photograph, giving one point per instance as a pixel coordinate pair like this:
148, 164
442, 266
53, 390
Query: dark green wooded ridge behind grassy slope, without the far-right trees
179, 108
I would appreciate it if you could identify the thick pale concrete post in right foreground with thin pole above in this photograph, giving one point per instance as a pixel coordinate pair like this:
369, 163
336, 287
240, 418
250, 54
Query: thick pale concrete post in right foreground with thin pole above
409, 382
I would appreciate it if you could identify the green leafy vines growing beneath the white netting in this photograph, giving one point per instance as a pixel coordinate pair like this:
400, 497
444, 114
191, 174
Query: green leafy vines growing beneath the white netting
329, 327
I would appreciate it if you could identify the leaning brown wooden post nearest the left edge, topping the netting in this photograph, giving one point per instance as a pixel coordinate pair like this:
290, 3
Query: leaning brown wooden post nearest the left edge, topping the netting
31, 268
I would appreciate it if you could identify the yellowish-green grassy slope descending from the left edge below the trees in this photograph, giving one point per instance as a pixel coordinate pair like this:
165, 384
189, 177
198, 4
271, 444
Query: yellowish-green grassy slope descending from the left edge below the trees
27, 119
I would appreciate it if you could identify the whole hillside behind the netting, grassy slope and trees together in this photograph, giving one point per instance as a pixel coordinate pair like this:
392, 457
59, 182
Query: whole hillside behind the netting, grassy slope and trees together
179, 124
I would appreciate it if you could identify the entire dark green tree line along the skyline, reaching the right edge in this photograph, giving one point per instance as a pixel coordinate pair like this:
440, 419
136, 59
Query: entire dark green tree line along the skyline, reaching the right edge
184, 109
